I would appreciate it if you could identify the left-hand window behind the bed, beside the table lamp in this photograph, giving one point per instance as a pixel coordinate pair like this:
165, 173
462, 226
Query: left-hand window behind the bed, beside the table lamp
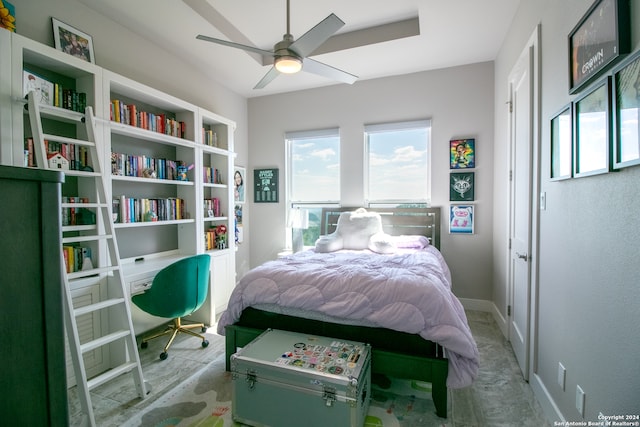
313, 175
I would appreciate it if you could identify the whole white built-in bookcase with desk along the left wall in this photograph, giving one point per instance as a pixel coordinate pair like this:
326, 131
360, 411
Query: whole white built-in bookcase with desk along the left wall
145, 247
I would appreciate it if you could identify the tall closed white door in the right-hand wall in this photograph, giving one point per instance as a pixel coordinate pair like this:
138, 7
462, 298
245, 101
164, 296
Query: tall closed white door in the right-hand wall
521, 87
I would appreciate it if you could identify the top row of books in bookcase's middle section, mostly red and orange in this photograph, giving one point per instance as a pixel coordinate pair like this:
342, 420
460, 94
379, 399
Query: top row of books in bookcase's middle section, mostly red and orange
129, 114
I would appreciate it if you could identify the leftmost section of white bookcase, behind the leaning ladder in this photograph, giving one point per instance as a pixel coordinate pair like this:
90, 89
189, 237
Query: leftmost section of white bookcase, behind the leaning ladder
84, 77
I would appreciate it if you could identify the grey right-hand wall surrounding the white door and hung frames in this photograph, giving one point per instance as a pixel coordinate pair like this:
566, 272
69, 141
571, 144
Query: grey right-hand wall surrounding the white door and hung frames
588, 289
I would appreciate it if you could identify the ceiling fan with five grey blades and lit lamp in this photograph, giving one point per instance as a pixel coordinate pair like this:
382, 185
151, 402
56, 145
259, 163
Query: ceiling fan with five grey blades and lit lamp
290, 55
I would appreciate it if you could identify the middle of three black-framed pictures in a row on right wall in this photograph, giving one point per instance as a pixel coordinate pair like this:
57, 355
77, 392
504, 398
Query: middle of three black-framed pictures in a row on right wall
592, 130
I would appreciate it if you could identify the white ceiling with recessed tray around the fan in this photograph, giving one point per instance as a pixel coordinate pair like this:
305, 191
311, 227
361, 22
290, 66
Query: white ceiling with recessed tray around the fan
451, 33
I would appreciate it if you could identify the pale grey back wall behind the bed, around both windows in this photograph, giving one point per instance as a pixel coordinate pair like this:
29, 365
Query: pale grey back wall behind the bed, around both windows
458, 100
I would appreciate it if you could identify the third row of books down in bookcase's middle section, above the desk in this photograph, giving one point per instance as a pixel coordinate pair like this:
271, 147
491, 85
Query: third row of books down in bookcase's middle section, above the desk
132, 209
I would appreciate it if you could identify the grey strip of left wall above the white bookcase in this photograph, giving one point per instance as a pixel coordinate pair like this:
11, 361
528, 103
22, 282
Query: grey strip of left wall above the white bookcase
122, 51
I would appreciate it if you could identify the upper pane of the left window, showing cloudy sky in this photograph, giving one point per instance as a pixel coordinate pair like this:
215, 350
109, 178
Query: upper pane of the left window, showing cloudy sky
314, 169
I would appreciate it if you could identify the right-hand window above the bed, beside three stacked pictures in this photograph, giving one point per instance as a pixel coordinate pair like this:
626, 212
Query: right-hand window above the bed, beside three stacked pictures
398, 157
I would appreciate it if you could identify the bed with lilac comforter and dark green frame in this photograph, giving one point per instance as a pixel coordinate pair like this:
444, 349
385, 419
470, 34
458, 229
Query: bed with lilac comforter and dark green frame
428, 341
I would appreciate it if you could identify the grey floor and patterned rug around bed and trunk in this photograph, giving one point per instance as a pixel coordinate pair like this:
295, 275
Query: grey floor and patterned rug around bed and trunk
190, 388
